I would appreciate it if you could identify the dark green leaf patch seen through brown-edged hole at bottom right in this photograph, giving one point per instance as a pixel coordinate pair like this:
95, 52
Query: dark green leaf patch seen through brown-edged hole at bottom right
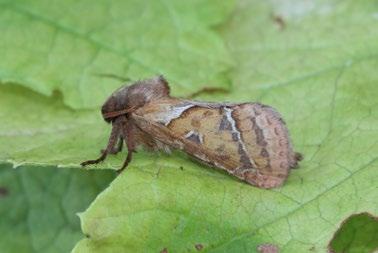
358, 234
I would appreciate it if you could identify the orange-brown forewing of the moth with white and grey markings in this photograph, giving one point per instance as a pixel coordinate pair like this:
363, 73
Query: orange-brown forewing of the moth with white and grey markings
250, 141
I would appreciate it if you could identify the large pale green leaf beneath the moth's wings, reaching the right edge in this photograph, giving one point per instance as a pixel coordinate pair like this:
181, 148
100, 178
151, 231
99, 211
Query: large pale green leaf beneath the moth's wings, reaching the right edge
319, 71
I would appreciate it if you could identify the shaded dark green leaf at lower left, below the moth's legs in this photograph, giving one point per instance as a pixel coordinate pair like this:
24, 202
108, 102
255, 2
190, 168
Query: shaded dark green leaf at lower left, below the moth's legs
38, 206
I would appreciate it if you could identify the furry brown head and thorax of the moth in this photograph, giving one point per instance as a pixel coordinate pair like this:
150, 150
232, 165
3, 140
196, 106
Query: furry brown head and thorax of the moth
128, 98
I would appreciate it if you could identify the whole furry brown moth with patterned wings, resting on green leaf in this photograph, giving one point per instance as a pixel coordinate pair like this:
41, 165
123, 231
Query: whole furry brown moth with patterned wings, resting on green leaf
248, 140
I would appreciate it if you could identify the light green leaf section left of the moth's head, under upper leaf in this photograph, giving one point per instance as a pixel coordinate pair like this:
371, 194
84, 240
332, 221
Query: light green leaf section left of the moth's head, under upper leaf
40, 130
